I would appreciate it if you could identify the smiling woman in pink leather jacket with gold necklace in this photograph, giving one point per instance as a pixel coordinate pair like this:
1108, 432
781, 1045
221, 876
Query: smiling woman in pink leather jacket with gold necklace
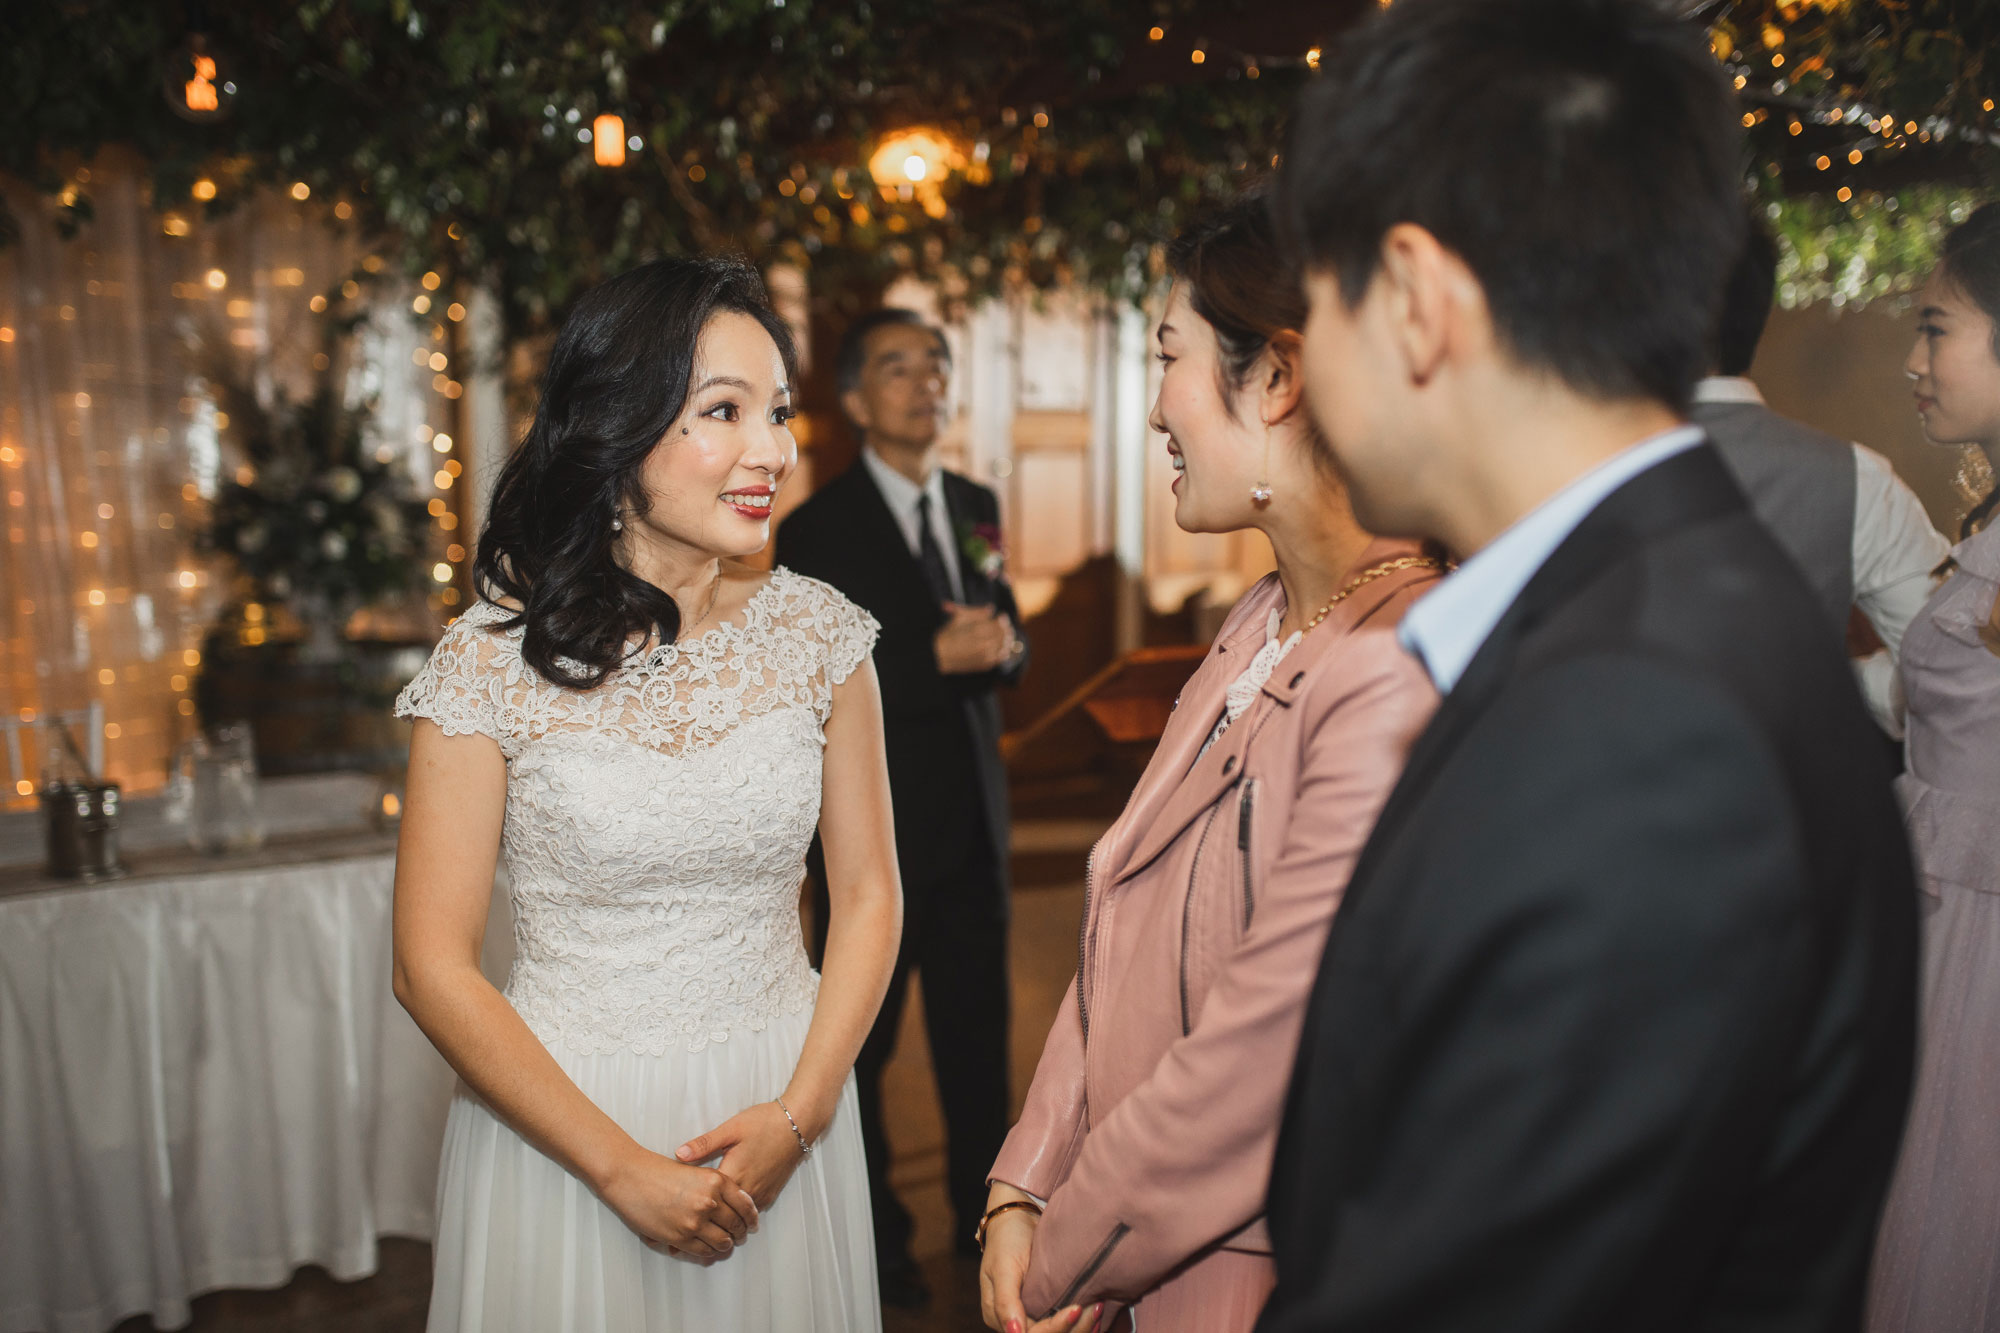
1139, 1168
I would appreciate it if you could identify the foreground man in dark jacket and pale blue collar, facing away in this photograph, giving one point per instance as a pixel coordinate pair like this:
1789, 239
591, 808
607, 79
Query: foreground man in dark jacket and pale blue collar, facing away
1615, 1026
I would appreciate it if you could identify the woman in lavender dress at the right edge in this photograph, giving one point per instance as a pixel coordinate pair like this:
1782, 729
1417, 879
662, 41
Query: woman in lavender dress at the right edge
1939, 1258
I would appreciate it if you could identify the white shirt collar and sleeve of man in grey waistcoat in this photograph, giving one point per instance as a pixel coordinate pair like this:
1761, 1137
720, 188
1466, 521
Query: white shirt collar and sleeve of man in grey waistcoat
1895, 551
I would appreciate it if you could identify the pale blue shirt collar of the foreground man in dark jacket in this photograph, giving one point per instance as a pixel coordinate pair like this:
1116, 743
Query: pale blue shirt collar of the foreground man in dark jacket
1455, 619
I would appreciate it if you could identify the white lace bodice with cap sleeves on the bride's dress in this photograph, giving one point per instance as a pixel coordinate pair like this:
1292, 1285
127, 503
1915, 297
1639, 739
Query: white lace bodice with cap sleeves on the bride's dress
657, 826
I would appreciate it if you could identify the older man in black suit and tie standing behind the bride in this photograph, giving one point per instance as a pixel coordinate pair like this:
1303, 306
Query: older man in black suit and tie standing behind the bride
921, 549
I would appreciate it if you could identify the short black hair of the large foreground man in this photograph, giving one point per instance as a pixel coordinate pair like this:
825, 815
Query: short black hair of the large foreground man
1583, 157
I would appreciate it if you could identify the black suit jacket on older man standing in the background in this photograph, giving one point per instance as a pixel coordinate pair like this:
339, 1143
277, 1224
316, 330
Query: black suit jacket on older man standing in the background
943, 732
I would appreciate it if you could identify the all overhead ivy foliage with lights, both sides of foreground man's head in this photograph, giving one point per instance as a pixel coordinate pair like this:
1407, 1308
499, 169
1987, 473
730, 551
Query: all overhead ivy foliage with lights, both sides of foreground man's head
455, 129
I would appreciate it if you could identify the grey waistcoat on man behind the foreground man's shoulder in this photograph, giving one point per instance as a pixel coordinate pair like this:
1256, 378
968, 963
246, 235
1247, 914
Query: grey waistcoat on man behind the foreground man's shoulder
1801, 483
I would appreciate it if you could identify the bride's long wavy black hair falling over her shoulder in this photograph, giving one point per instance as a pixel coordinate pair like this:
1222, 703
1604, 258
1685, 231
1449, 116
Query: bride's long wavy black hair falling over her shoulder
617, 383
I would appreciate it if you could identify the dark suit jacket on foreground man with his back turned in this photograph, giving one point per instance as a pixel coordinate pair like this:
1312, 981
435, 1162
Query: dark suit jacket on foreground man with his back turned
1615, 1026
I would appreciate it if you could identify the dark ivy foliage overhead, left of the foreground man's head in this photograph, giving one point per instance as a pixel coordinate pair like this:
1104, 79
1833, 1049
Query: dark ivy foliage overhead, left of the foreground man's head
455, 127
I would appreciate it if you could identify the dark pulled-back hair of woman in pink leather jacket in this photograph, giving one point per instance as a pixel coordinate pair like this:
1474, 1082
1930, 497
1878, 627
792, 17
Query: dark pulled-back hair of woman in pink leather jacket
1241, 281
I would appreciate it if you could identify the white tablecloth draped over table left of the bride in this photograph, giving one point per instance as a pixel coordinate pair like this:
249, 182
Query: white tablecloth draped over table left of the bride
205, 1082
